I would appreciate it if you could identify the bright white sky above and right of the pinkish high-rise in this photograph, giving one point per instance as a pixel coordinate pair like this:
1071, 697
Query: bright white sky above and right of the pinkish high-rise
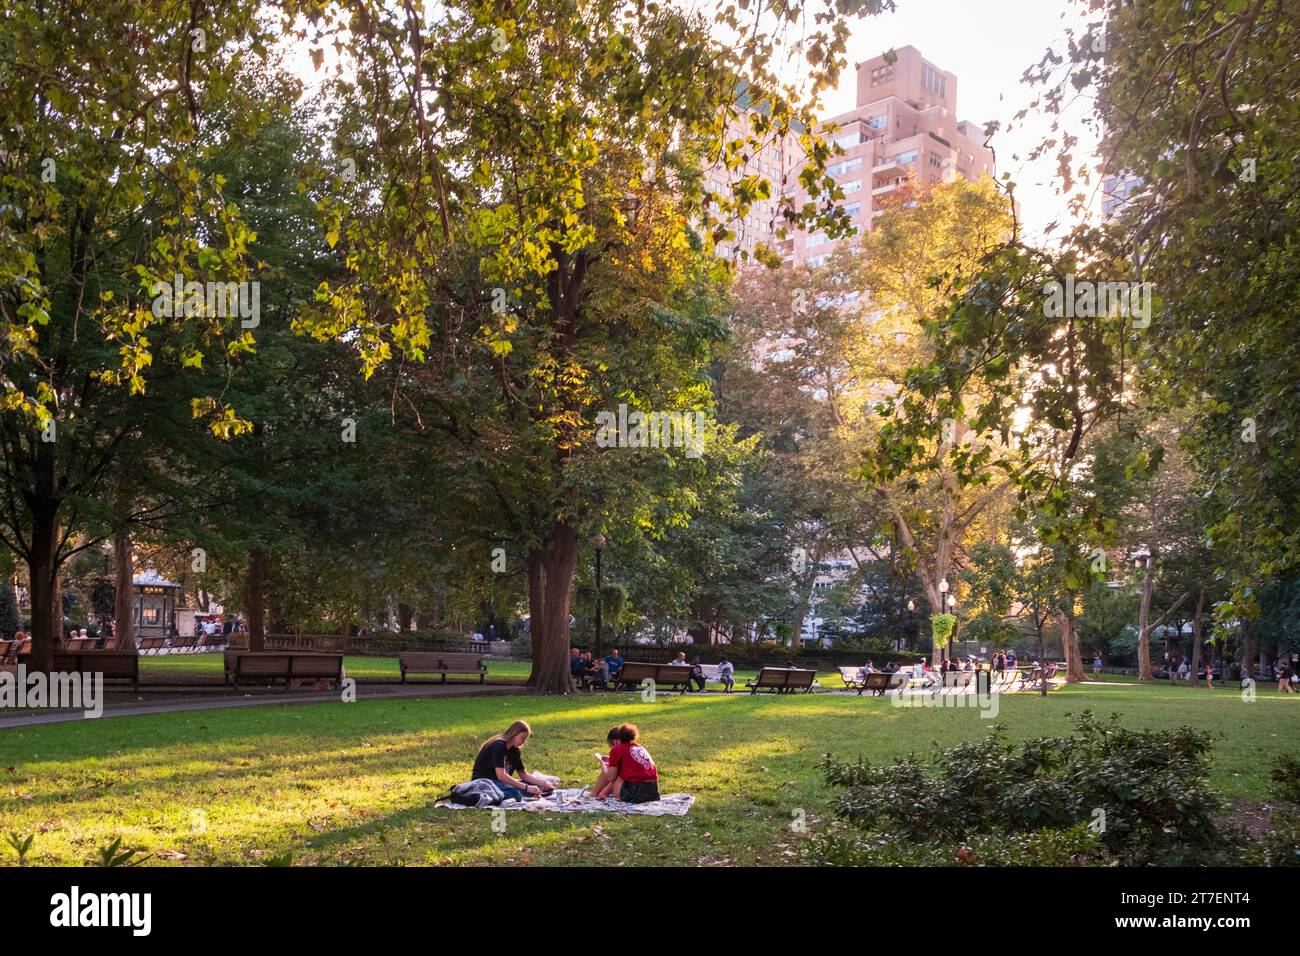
989, 45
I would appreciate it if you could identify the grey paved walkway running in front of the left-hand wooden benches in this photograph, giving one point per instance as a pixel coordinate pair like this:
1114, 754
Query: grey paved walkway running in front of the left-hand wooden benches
132, 704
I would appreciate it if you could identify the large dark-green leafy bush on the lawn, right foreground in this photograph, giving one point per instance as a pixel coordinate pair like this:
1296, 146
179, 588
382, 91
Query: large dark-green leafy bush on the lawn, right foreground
1143, 791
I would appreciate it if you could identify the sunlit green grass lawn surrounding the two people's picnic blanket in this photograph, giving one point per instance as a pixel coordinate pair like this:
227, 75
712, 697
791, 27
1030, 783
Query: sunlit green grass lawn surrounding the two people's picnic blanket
357, 782
